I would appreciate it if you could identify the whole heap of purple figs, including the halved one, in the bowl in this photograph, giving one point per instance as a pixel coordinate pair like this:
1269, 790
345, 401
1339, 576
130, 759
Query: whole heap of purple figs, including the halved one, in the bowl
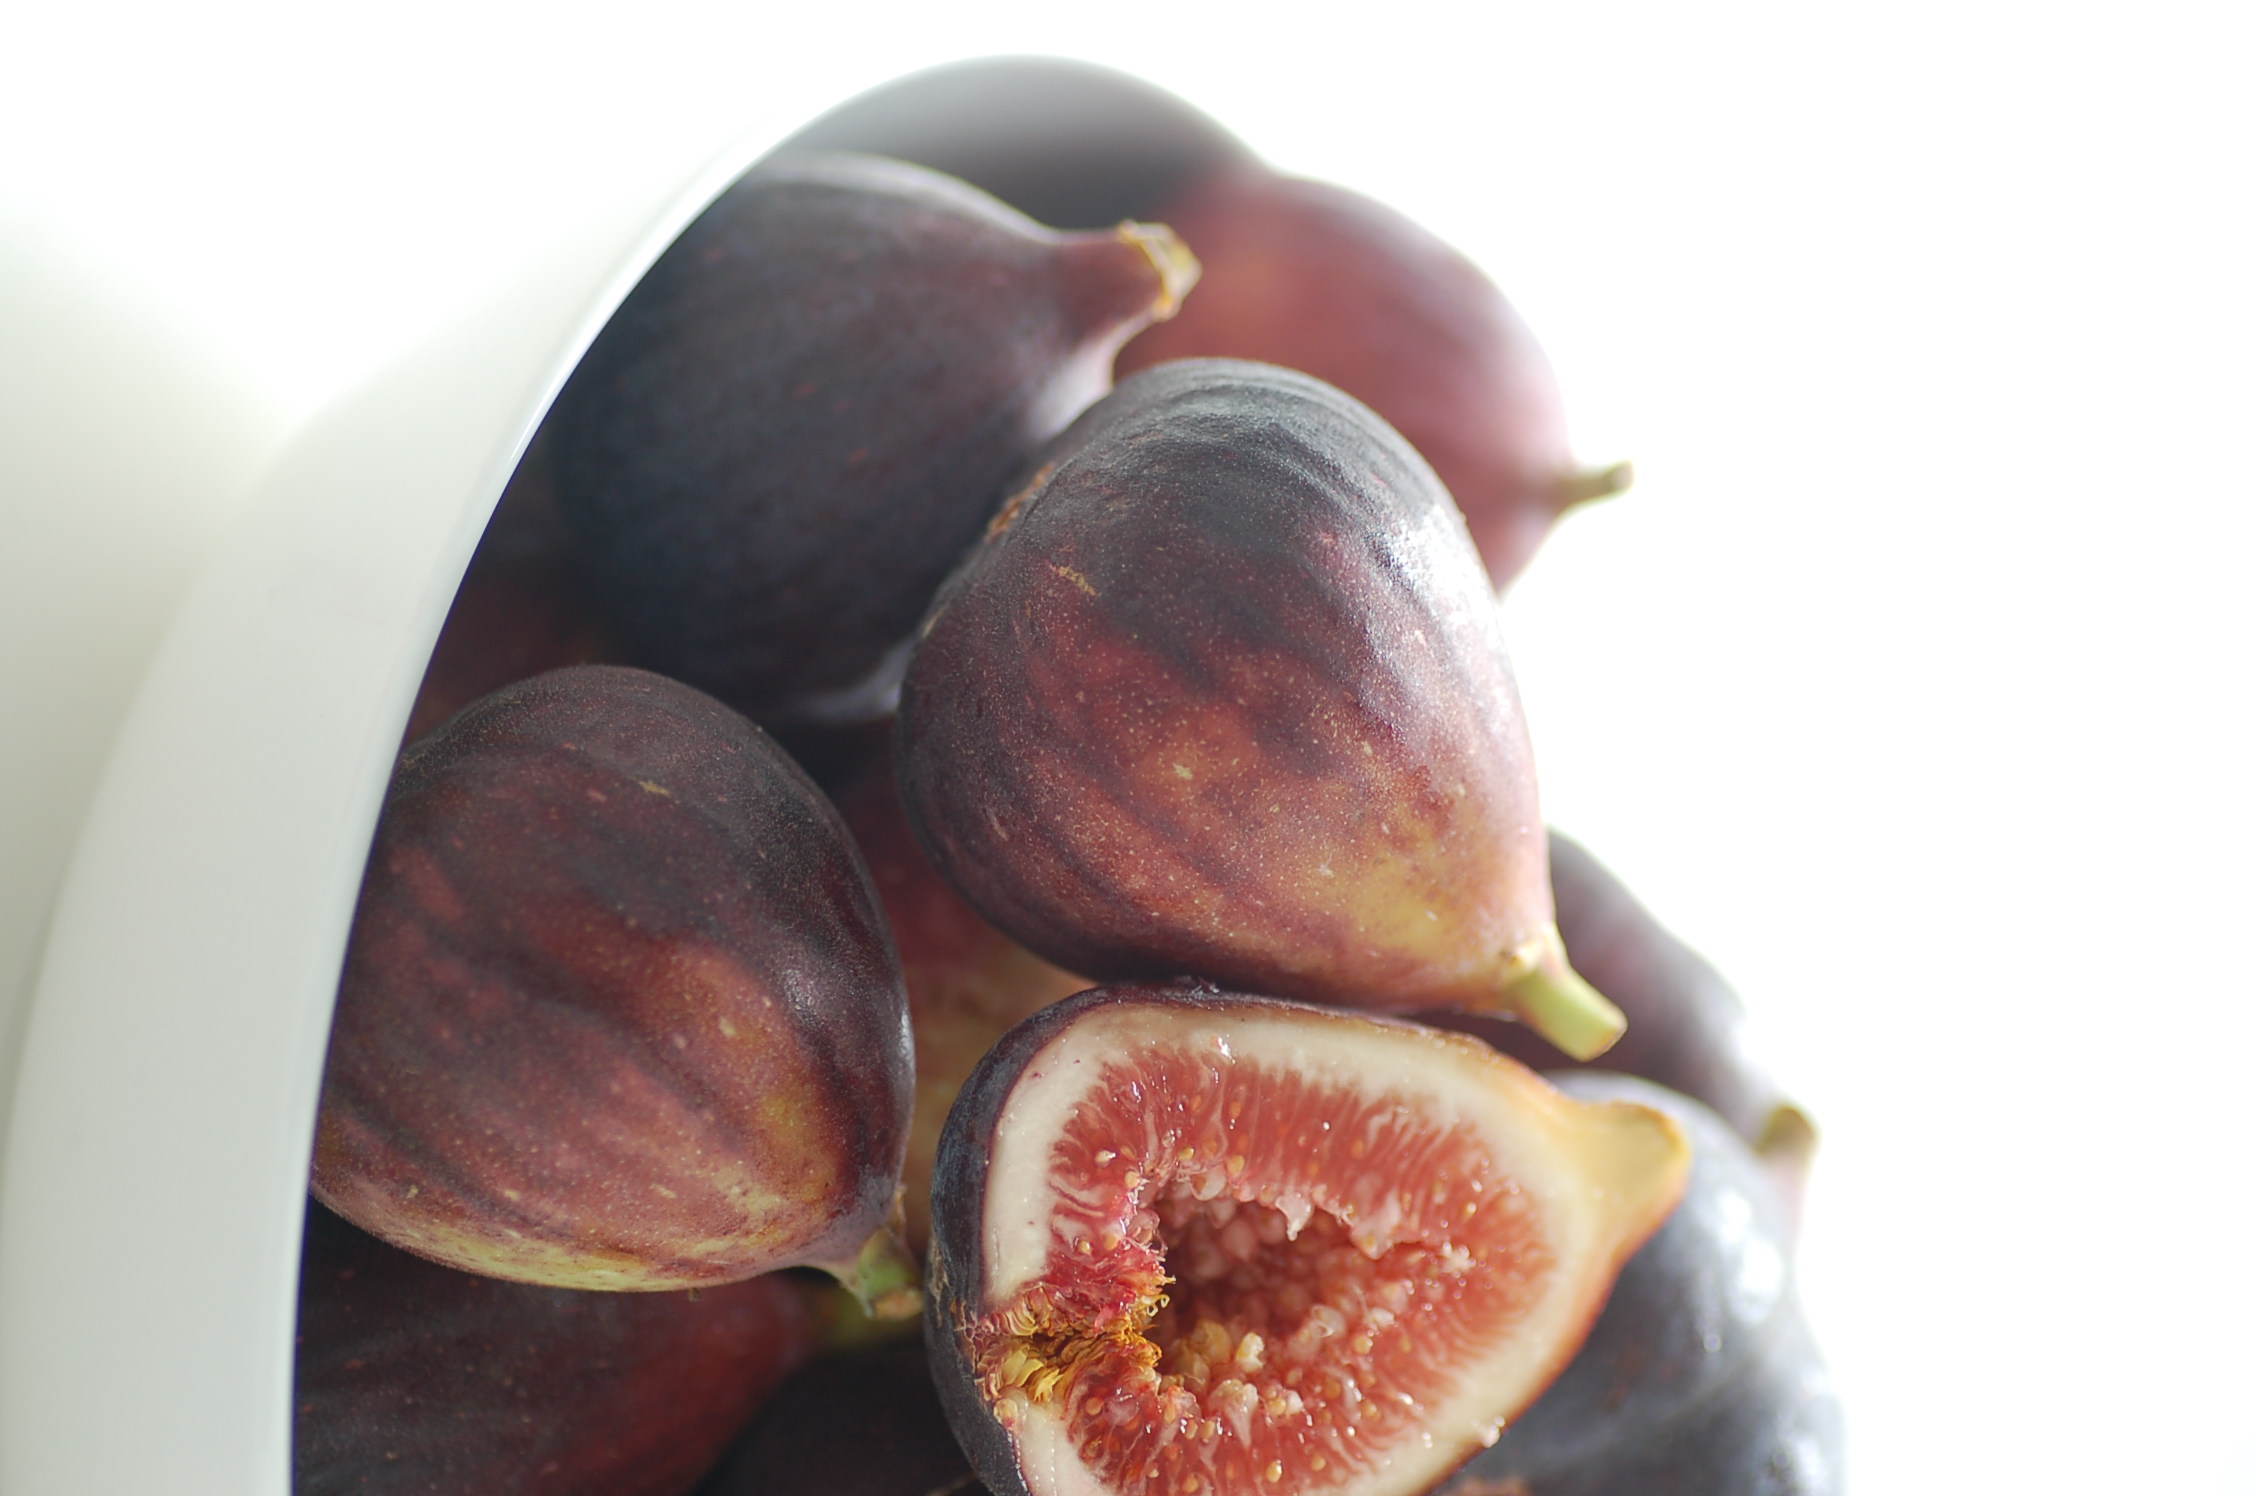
964, 904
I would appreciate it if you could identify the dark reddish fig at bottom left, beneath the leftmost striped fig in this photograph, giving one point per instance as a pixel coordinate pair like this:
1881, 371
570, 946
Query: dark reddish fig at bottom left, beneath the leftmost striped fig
416, 1380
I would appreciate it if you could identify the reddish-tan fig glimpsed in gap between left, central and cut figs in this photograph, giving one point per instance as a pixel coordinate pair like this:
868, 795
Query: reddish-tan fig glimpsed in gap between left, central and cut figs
969, 983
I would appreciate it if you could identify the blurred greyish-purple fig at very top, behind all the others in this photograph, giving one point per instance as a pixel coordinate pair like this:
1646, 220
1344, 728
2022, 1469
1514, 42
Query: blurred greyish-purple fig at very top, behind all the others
1066, 143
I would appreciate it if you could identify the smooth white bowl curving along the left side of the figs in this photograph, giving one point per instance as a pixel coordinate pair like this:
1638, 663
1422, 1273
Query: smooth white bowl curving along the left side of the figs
170, 1050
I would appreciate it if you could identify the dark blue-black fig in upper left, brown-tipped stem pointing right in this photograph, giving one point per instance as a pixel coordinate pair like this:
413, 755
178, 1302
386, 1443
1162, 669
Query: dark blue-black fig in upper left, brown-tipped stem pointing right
811, 405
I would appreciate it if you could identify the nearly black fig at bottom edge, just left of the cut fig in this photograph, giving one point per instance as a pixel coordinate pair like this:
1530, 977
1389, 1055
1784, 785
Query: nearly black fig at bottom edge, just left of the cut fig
858, 1425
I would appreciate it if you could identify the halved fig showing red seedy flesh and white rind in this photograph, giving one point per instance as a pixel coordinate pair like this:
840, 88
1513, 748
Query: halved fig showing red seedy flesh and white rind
1201, 1244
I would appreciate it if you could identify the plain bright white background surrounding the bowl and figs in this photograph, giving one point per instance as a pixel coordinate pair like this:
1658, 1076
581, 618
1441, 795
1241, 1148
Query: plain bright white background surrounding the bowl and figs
1912, 683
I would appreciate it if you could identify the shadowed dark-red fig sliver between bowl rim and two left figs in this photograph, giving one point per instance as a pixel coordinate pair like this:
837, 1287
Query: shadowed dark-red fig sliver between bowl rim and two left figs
525, 606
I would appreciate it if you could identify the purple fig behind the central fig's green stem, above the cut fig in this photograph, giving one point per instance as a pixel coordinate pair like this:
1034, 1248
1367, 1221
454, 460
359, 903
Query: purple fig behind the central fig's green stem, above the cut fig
1686, 1026
